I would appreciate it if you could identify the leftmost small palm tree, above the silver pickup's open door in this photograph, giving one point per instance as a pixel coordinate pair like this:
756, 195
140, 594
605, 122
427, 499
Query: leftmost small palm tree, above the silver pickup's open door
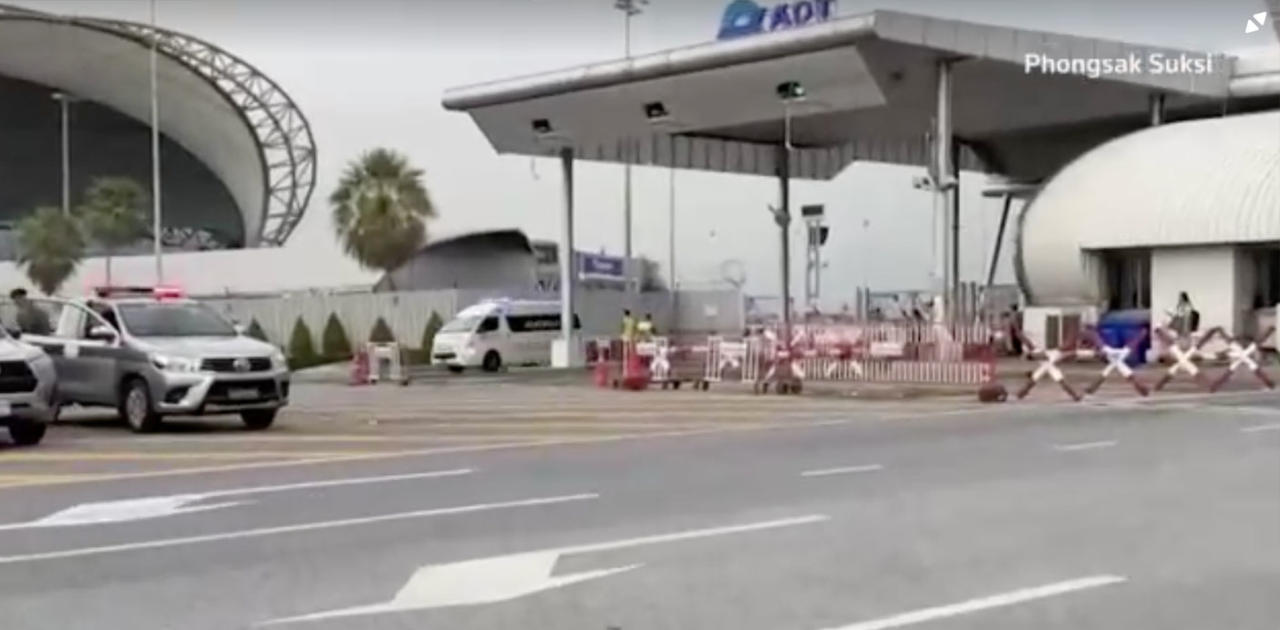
51, 248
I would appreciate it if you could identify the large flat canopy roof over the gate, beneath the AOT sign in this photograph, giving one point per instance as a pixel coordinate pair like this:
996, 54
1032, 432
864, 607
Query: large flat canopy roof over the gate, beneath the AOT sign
871, 97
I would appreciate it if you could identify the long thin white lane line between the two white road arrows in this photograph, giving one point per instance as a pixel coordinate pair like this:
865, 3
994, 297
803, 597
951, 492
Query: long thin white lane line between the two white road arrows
289, 529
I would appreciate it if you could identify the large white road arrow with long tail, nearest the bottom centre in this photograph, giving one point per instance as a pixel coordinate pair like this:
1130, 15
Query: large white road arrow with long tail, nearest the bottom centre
504, 578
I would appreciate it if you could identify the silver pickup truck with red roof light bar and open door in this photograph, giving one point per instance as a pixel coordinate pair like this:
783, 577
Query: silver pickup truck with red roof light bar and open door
153, 355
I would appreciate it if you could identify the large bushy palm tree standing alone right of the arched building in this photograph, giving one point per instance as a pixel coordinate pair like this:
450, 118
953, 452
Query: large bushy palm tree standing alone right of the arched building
381, 211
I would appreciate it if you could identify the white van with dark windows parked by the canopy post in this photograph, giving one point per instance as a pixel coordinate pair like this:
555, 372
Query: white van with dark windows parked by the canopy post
500, 332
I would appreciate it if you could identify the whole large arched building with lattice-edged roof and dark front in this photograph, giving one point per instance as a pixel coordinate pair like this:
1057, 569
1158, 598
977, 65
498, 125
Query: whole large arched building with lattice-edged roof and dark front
237, 154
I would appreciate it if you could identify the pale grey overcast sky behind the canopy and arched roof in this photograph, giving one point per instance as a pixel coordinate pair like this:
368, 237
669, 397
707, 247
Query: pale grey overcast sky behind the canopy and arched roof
372, 72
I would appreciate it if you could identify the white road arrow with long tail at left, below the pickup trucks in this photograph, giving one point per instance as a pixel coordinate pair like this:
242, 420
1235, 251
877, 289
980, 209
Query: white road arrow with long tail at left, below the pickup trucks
158, 508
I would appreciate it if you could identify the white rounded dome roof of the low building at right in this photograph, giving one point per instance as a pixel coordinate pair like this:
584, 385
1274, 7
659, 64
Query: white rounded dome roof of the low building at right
1201, 182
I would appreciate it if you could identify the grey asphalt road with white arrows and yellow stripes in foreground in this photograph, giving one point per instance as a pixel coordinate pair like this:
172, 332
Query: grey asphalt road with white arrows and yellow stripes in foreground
716, 514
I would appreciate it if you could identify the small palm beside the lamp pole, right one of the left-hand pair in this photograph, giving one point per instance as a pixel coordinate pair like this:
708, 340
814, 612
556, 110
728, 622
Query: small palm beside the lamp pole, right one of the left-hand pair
115, 214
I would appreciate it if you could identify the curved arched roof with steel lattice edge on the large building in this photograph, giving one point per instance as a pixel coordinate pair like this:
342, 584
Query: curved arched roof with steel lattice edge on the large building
214, 104
